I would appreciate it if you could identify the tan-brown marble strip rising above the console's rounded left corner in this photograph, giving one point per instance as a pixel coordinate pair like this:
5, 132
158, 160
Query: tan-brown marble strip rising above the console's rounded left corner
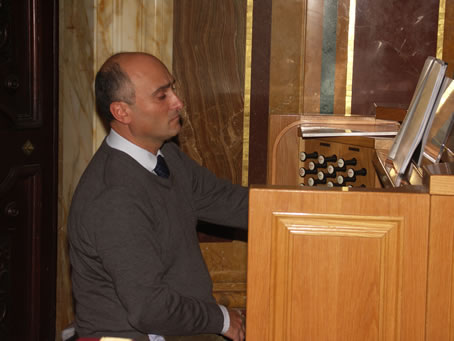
287, 63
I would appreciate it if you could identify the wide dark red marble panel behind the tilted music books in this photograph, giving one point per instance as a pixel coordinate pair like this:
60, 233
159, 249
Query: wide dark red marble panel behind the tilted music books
392, 41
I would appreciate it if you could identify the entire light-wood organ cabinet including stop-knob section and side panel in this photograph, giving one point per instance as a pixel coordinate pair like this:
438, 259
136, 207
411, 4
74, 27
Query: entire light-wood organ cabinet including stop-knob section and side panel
348, 263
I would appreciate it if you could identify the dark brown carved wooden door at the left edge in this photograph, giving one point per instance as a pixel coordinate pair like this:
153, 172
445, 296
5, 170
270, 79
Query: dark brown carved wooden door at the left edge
28, 168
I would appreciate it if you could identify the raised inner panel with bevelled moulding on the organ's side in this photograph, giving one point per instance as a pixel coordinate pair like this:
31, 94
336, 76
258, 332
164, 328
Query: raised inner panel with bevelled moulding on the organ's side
321, 264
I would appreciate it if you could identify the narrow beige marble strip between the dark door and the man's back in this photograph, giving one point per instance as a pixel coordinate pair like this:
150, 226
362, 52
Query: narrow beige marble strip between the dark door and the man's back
76, 106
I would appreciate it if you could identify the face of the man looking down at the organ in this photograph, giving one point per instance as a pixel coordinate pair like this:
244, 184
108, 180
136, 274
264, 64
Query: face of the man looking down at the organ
155, 116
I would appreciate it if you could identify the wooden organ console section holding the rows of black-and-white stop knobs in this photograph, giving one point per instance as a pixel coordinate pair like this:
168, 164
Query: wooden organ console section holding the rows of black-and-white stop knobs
301, 157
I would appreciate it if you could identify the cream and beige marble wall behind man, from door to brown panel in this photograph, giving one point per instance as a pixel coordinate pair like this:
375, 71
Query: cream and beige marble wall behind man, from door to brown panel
90, 31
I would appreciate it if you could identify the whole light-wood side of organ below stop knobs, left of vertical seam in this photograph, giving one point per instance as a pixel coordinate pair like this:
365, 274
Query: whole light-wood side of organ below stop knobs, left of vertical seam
336, 265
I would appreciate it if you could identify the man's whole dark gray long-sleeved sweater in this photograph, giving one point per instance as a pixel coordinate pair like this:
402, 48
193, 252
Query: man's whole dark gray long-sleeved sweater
136, 262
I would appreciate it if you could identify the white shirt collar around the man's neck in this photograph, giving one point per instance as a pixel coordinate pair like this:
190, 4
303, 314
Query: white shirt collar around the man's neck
147, 159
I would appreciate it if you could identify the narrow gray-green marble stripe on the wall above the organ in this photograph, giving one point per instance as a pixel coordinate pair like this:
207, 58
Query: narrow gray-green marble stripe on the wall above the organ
328, 56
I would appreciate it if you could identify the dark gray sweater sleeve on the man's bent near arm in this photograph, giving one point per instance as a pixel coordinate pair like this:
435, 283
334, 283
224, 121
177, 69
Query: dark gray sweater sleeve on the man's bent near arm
127, 241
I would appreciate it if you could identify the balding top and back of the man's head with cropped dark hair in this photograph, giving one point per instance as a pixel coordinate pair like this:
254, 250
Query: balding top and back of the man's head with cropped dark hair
115, 80
